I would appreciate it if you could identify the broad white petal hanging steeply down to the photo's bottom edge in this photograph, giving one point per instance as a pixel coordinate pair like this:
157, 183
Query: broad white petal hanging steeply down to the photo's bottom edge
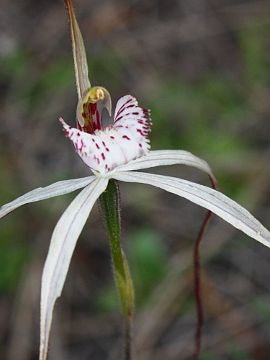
62, 245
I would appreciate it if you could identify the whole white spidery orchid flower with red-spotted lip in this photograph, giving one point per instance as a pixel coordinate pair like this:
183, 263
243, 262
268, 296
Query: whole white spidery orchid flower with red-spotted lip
114, 152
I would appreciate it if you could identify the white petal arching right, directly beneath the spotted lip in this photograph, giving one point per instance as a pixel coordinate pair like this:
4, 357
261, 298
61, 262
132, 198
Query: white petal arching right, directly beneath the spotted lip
167, 157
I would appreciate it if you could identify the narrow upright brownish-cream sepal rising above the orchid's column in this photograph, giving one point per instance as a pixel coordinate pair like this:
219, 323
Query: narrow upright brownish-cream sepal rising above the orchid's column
79, 55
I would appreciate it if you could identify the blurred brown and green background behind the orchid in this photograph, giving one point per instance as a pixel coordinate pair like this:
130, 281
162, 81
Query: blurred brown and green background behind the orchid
203, 68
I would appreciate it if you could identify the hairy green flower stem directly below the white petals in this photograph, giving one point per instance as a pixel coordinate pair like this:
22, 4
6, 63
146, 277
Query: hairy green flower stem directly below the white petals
111, 209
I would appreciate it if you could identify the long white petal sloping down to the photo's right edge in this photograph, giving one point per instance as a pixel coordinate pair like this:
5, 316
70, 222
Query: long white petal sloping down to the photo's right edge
206, 197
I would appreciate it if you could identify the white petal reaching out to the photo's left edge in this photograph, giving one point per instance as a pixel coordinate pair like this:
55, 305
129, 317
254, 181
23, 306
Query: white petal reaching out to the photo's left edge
56, 189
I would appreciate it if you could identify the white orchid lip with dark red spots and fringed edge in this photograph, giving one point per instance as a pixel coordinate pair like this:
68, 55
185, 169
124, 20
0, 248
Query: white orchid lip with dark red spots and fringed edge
118, 144
